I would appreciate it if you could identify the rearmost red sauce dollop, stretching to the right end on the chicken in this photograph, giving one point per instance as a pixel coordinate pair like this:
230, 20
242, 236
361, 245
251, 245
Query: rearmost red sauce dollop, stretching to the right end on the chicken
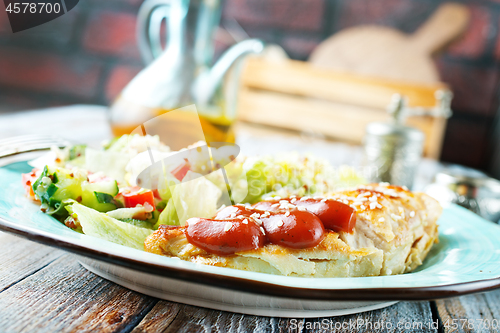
335, 215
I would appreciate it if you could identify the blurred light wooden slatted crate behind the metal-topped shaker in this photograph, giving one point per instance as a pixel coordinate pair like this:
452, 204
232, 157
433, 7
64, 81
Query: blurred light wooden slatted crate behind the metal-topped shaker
295, 95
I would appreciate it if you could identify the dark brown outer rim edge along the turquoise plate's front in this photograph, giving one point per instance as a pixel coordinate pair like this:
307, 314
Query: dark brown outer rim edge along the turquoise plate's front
252, 285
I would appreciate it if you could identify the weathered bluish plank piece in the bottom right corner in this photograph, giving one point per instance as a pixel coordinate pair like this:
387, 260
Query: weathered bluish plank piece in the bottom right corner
472, 313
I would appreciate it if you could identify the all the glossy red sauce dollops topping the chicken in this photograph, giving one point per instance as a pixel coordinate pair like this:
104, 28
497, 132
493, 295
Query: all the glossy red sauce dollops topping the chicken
290, 222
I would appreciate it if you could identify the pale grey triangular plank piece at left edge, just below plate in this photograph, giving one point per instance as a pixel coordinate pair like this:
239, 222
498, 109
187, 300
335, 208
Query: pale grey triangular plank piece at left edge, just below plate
20, 258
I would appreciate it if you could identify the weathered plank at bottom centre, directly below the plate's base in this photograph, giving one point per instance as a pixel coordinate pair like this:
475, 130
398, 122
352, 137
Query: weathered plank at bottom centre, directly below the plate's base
169, 317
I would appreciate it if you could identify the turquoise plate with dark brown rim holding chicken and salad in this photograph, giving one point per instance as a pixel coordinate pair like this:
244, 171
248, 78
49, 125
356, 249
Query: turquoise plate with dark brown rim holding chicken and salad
467, 258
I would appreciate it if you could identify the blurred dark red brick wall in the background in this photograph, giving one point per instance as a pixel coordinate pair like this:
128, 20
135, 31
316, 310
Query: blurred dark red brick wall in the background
89, 54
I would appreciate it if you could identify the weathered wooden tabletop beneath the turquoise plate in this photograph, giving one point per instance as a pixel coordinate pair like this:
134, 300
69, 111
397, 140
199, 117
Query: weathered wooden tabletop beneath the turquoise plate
43, 289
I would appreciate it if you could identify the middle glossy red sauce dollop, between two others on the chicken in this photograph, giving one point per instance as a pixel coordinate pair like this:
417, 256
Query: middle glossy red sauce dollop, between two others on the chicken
295, 229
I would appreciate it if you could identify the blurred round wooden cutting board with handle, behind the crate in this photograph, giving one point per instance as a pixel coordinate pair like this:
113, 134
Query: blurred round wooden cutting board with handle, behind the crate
388, 53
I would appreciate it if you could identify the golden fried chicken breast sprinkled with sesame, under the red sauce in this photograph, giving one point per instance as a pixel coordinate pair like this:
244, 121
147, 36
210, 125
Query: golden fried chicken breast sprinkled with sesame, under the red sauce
394, 231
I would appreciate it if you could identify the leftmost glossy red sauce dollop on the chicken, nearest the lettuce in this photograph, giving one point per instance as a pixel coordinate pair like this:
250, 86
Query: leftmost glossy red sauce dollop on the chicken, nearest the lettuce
224, 237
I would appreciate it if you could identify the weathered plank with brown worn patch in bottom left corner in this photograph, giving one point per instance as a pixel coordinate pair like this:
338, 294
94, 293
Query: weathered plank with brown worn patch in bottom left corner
65, 297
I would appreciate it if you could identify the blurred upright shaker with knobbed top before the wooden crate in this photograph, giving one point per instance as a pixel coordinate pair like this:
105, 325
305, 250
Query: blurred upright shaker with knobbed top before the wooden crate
392, 150
